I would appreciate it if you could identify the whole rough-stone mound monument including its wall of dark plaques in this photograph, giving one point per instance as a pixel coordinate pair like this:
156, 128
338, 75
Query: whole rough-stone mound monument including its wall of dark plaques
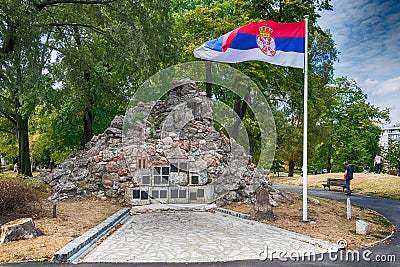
175, 155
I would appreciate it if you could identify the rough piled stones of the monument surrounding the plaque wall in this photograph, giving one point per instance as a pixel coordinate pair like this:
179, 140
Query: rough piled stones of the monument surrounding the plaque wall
103, 168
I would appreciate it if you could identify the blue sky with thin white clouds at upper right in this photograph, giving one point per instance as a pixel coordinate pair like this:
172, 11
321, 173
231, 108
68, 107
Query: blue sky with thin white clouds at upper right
367, 34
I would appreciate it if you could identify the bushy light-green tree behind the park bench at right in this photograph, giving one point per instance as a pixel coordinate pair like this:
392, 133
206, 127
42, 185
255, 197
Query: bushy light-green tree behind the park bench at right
348, 123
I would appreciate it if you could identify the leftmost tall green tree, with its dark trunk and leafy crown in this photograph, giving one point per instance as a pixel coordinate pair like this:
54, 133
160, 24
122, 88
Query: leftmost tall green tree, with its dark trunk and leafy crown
23, 57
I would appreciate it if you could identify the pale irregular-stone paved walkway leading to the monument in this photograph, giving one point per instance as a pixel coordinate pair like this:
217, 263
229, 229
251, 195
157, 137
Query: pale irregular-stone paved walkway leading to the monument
193, 236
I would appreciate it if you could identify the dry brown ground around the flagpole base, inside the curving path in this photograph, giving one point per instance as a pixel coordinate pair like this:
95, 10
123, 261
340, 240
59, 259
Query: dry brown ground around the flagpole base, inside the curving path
330, 219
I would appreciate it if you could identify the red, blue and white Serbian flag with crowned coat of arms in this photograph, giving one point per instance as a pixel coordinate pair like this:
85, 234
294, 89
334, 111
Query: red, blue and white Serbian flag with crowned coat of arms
273, 42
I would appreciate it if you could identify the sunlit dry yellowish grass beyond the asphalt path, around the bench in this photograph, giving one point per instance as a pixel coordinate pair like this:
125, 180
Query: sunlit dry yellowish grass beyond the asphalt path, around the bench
378, 185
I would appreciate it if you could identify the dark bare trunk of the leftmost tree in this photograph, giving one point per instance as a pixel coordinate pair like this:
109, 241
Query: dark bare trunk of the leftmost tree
24, 161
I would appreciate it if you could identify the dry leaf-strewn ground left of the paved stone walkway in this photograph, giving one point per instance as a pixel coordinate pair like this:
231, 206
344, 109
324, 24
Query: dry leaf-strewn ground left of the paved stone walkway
73, 219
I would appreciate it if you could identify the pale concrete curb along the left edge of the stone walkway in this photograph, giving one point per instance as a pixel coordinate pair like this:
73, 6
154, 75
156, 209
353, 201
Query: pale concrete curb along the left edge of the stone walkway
74, 249
